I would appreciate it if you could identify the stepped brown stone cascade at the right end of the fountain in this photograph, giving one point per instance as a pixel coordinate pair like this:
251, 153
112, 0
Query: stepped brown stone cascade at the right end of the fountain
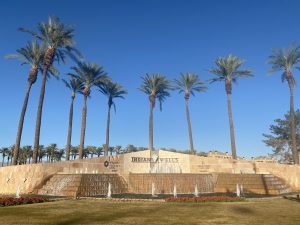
252, 183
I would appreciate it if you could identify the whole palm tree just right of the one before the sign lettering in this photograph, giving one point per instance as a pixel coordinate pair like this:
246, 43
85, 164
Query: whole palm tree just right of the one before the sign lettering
189, 84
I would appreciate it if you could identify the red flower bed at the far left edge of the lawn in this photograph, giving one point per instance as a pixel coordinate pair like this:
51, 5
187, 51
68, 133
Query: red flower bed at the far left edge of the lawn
8, 201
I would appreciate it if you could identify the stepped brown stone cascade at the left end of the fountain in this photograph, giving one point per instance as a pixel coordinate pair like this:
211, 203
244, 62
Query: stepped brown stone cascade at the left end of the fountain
83, 185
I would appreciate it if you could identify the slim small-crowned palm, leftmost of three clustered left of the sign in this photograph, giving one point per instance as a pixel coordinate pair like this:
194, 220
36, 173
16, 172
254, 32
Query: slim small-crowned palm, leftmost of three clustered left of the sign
76, 86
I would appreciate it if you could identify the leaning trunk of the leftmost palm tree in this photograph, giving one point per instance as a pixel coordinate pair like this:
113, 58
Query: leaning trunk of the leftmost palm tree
20, 126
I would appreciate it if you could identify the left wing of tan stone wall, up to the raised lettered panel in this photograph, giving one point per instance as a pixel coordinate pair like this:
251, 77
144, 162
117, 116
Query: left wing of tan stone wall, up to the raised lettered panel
31, 177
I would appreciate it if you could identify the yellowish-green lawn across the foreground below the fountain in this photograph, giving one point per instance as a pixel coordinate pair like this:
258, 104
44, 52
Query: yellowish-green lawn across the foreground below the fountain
263, 211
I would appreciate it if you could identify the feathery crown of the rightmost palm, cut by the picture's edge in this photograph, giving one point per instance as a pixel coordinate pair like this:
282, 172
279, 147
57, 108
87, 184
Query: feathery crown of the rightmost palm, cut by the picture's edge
284, 60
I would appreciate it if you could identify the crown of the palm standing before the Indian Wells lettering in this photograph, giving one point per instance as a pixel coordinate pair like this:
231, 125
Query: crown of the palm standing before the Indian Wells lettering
156, 85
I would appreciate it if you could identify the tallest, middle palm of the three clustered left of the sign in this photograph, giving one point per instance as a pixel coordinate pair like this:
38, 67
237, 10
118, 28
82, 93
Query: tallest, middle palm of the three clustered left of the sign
90, 74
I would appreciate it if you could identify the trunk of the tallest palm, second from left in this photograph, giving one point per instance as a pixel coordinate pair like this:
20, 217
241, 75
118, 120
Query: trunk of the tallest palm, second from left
39, 117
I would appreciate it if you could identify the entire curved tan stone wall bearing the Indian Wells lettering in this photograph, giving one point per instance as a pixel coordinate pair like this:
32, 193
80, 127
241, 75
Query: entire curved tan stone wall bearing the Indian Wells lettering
30, 177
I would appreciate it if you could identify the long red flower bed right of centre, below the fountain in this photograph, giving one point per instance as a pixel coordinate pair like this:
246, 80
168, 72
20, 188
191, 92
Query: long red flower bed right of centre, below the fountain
221, 198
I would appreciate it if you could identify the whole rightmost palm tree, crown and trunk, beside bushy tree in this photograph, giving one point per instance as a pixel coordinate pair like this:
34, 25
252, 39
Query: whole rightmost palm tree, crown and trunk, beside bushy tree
285, 60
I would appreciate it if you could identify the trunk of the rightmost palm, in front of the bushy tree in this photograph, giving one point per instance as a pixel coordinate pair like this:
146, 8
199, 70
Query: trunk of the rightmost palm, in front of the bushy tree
292, 123
